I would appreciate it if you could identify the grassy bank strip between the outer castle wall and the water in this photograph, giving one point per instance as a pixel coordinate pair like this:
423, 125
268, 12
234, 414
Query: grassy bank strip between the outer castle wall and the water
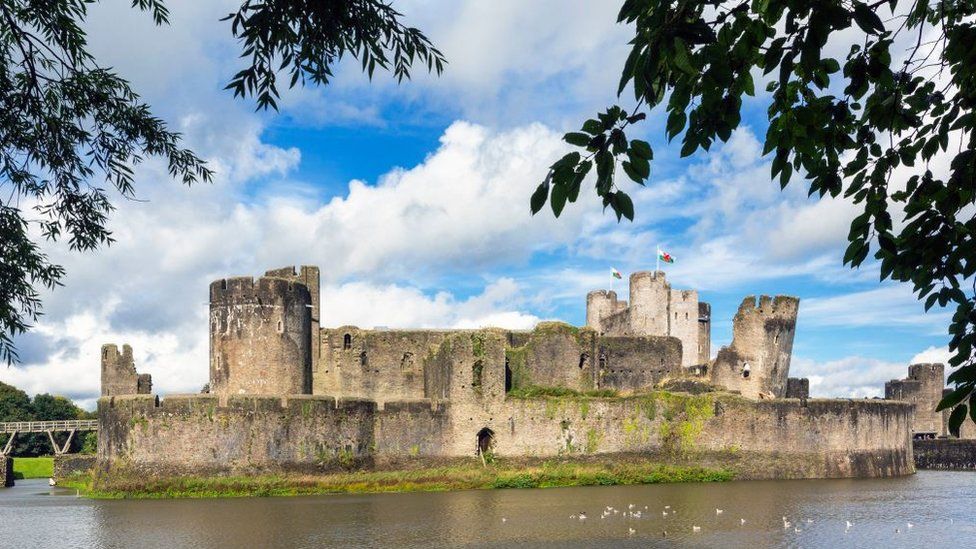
466, 475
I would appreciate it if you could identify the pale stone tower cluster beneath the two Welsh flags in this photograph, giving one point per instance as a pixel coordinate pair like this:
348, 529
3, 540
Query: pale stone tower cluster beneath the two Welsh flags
655, 309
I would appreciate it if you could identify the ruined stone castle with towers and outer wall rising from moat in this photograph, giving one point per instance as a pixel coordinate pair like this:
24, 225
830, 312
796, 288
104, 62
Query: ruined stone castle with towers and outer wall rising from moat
288, 394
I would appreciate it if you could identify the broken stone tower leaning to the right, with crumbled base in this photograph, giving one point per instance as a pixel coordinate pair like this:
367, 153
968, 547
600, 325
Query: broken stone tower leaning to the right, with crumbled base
758, 361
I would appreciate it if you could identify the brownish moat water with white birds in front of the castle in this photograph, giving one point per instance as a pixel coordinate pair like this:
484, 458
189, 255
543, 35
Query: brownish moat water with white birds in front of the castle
33, 515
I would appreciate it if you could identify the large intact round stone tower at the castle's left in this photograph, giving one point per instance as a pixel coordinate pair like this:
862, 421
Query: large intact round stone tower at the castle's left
260, 336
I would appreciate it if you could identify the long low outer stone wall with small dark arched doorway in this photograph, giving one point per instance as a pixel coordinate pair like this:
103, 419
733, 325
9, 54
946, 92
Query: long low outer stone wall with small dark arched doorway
198, 433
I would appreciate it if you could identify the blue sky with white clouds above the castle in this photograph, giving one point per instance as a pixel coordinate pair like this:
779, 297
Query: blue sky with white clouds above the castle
413, 200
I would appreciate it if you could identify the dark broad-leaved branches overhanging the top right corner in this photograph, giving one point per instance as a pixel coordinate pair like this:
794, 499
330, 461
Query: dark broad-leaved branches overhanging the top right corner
868, 127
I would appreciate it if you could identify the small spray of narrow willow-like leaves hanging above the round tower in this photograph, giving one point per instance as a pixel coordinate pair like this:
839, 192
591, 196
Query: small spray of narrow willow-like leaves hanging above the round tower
307, 38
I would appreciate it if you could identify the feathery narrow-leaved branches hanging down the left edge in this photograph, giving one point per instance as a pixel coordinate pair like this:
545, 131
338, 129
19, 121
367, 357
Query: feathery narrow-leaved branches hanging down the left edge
67, 126
